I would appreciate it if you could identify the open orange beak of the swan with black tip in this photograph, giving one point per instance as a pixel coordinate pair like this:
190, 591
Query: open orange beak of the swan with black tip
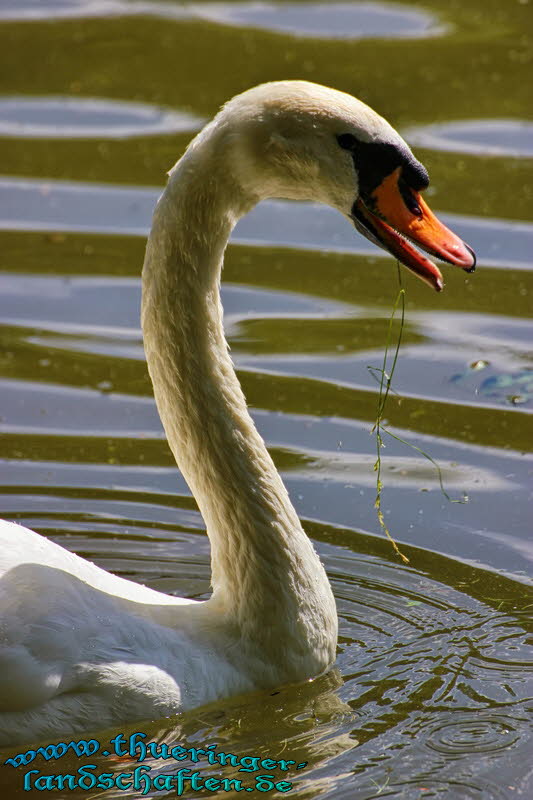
394, 211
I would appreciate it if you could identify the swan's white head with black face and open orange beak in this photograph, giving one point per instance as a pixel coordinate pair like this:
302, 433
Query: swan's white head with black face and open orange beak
302, 141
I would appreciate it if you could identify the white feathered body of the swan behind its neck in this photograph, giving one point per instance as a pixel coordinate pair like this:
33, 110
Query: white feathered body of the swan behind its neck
81, 647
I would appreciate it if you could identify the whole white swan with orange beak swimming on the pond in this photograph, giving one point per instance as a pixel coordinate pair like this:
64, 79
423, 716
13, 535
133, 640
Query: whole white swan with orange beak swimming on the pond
81, 648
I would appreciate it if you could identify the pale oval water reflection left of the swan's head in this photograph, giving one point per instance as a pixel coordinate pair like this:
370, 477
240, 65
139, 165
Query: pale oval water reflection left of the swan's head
65, 117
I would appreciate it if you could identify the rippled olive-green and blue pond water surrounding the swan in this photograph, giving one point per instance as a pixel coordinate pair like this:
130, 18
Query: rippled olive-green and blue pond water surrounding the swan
432, 692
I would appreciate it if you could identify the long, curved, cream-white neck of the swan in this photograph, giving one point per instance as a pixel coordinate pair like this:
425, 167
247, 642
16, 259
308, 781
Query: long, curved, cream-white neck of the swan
266, 576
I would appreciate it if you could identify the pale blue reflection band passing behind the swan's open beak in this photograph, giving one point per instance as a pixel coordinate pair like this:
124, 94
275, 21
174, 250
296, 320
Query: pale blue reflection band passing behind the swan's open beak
54, 205
